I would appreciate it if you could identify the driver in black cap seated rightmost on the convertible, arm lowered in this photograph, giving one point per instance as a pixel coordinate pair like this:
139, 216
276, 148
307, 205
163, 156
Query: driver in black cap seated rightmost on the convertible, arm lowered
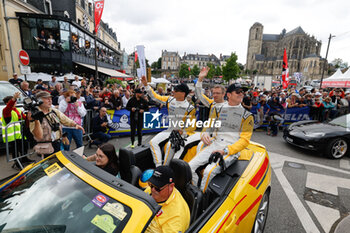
228, 140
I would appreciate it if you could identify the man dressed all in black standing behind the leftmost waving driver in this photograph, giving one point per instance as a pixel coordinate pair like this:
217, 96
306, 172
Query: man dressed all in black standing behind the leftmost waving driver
137, 105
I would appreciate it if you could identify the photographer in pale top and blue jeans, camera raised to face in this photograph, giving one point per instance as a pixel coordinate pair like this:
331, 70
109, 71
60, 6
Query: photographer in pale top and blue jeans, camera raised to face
75, 111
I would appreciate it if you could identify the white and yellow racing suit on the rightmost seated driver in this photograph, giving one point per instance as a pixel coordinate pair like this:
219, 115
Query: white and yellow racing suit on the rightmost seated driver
234, 134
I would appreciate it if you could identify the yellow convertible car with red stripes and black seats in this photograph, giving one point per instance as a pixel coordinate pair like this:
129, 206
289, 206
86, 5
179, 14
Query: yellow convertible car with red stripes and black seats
65, 193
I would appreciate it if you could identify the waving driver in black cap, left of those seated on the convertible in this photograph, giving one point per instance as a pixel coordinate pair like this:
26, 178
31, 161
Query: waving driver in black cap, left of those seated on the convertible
179, 110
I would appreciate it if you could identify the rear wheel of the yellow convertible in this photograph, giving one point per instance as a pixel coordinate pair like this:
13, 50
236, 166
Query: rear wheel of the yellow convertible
261, 215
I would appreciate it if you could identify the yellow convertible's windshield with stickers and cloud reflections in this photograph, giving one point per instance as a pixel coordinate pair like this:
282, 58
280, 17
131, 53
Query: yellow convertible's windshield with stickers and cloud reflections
49, 198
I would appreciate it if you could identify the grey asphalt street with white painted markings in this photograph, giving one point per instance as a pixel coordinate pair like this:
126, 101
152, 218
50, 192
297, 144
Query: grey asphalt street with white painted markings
310, 193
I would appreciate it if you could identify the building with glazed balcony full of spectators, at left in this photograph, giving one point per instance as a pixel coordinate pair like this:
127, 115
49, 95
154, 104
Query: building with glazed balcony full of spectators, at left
58, 36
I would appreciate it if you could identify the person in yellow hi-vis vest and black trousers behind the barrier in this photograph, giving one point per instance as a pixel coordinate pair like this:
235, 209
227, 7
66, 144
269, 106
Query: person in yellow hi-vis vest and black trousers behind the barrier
14, 134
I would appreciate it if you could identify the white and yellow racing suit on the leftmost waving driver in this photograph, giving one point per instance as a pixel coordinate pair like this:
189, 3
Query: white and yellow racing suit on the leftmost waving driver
177, 111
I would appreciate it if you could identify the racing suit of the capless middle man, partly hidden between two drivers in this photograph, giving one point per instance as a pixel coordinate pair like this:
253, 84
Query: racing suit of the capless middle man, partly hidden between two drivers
214, 111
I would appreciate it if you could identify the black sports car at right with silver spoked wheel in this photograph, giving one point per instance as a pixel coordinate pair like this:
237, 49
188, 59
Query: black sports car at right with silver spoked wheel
330, 138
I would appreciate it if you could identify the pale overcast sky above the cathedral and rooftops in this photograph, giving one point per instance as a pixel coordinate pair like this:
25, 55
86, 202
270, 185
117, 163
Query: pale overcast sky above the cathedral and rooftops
222, 26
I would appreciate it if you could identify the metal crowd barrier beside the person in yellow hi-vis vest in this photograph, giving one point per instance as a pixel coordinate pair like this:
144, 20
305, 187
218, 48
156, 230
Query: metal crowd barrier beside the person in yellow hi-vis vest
23, 141
